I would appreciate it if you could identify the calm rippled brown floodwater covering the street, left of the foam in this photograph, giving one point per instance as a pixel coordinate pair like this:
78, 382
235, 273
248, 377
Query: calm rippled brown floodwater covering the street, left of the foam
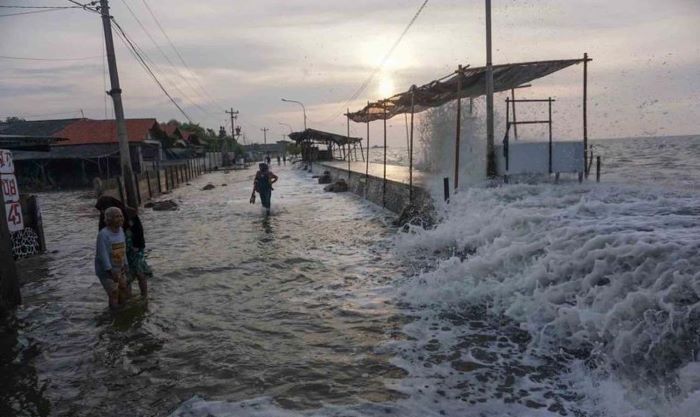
241, 306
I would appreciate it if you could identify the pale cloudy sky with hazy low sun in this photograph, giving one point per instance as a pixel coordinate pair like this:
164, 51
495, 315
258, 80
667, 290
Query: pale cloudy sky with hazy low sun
644, 79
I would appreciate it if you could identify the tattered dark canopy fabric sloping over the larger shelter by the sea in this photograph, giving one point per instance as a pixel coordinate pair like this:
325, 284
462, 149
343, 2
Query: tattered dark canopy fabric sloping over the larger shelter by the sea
469, 83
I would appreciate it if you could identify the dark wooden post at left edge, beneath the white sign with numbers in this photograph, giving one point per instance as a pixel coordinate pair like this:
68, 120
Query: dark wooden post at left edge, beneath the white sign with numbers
10, 296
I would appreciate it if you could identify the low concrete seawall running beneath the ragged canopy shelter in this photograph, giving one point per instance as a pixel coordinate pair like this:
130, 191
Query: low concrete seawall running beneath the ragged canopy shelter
396, 197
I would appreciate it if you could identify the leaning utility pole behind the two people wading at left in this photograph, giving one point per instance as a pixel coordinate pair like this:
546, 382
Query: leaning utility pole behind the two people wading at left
116, 94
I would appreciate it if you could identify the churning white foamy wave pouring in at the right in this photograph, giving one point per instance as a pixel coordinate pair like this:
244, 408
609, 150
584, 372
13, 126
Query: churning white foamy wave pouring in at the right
564, 299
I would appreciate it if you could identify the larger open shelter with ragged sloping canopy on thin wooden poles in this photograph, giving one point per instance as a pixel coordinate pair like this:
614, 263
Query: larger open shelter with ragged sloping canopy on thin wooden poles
467, 82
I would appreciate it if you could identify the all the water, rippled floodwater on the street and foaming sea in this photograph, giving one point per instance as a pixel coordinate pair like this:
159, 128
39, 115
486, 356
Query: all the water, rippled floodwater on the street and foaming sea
526, 299
